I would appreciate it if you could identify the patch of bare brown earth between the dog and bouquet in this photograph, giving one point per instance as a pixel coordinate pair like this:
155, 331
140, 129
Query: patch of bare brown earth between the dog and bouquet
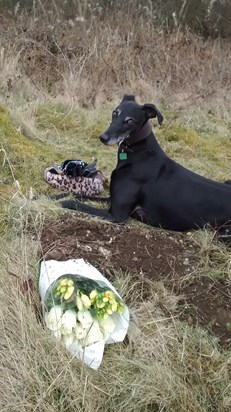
146, 252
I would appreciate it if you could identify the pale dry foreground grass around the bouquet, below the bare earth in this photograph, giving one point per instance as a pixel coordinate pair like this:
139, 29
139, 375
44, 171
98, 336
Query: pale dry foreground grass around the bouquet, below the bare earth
165, 365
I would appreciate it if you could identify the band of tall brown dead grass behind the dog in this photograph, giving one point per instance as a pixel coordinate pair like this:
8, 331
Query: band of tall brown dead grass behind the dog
94, 58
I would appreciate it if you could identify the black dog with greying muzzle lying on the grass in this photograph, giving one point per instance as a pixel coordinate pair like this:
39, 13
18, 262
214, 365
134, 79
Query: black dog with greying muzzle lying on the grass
147, 185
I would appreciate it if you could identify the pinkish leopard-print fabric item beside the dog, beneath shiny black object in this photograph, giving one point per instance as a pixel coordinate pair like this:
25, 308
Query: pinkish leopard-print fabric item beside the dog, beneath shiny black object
88, 186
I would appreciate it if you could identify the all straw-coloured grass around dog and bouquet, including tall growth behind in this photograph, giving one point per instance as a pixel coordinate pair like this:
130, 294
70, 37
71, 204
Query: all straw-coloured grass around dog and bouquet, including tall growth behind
54, 104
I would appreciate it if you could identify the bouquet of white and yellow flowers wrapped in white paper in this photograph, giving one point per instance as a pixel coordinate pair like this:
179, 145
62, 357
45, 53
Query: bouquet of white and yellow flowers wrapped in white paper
82, 308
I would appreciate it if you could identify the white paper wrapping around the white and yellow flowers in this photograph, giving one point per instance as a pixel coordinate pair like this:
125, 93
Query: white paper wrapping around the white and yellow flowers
50, 271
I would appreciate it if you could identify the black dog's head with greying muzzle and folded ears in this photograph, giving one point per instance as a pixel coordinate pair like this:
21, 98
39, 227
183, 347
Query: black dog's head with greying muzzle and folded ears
128, 118
